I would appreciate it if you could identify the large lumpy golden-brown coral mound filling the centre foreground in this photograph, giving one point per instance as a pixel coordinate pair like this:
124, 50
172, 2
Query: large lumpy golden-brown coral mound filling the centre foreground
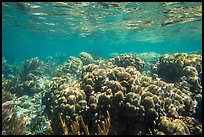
137, 103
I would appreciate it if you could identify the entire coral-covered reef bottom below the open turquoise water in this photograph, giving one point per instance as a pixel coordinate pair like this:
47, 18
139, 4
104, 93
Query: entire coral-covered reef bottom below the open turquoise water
125, 94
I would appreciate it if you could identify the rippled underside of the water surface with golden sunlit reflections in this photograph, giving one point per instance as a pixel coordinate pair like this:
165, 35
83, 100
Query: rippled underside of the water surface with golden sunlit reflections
152, 22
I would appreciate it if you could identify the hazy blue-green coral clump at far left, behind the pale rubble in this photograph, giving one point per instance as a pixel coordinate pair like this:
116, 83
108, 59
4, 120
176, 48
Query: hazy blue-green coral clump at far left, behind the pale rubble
31, 80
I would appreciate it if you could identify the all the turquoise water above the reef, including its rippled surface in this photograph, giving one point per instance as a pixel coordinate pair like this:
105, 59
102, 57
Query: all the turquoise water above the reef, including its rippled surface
26, 33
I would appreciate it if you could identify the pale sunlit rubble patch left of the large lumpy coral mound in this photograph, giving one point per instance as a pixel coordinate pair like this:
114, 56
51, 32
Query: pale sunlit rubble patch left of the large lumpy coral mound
33, 111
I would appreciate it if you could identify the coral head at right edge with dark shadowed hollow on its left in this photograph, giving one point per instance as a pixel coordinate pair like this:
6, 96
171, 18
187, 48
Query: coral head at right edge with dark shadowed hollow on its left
171, 67
